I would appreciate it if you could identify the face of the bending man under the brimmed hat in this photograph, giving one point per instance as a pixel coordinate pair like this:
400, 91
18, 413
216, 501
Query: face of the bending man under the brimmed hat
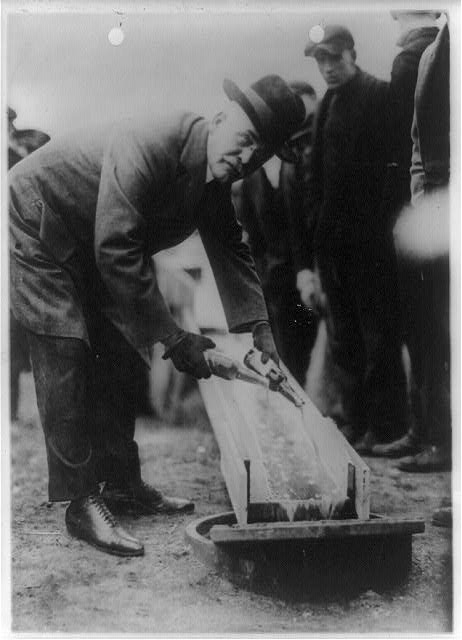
234, 148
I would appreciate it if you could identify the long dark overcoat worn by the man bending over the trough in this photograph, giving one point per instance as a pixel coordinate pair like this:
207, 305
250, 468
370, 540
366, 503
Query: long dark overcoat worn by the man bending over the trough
88, 211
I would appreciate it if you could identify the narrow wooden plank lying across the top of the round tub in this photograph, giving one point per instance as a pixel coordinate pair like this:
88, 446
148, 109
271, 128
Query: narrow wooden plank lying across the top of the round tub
324, 529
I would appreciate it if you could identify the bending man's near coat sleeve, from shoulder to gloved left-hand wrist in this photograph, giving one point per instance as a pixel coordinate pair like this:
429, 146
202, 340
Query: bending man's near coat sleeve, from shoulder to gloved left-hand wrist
134, 171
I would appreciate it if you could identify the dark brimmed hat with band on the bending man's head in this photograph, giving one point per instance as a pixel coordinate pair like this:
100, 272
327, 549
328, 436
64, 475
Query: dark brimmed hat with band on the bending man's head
274, 109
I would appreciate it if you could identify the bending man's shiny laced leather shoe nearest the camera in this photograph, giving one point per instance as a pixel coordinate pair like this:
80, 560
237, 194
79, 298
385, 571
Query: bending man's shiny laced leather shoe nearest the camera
89, 519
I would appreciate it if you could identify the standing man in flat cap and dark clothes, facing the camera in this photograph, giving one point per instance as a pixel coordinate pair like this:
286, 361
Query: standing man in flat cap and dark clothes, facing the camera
352, 241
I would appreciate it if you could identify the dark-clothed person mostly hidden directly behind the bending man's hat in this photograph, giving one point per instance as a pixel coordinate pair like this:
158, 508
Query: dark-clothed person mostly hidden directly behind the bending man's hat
272, 215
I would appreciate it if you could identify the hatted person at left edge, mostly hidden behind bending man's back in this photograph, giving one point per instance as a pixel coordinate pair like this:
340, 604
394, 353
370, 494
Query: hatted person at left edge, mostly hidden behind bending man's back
21, 142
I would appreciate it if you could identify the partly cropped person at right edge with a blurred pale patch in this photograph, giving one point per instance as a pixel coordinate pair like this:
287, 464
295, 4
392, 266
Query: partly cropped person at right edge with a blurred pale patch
422, 241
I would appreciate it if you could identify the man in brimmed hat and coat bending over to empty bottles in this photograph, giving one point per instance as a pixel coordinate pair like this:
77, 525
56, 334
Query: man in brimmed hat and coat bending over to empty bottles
87, 212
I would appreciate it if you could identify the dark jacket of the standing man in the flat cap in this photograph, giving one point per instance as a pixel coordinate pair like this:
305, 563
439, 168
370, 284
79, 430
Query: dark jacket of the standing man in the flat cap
349, 160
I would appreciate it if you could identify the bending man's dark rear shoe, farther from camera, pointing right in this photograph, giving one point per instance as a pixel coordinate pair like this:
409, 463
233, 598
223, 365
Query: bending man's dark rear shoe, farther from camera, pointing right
143, 499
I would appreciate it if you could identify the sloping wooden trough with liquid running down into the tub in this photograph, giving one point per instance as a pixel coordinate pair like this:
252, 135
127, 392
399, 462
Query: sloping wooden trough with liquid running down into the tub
281, 462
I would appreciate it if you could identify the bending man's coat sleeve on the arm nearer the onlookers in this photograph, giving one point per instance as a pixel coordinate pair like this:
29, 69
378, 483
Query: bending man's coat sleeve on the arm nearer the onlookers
232, 264
